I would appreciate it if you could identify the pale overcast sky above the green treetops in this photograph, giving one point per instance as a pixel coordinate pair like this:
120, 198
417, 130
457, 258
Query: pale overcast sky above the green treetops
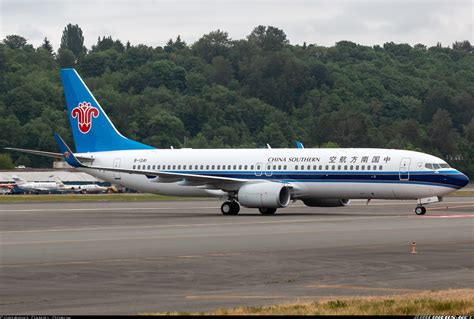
321, 22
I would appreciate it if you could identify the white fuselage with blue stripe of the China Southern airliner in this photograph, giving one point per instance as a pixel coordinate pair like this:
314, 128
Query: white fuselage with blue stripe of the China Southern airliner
313, 173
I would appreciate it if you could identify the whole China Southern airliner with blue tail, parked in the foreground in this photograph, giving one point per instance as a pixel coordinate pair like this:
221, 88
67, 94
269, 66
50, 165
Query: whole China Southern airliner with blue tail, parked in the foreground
266, 179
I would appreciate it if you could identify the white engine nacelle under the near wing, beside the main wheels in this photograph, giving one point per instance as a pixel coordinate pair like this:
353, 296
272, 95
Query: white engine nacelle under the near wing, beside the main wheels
264, 195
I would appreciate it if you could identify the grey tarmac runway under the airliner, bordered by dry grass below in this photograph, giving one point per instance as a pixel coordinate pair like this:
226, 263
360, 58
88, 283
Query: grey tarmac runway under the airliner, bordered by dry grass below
140, 257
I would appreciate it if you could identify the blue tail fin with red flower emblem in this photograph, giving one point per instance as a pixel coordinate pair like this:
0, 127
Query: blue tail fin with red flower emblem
91, 127
